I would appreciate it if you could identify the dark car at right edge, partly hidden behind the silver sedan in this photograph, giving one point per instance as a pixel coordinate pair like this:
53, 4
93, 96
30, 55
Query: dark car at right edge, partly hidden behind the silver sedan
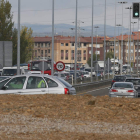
136, 83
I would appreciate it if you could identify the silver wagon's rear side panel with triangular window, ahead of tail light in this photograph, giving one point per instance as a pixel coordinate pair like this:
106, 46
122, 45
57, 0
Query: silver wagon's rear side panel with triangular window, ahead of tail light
54, 87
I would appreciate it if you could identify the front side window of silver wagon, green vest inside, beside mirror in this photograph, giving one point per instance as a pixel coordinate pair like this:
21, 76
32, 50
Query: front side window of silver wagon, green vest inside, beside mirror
16, 83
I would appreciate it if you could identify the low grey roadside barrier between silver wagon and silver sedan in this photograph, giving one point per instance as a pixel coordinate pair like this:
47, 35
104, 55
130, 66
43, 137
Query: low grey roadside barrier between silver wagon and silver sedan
91, 85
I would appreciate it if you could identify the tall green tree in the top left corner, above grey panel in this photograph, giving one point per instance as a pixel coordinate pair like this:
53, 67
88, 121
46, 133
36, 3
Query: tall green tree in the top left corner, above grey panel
6, 23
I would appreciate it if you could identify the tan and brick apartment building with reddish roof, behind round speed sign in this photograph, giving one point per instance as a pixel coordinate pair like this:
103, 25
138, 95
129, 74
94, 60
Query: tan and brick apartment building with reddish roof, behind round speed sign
64, 48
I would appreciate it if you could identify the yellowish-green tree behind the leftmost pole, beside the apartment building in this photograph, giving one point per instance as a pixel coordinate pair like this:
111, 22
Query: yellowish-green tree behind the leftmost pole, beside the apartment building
26, 45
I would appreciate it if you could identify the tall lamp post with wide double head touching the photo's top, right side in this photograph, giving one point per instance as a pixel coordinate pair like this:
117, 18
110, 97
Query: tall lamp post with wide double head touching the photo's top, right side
123, 2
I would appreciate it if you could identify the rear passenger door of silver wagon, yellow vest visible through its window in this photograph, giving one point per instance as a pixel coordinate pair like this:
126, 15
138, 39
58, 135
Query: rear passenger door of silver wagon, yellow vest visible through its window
35, 85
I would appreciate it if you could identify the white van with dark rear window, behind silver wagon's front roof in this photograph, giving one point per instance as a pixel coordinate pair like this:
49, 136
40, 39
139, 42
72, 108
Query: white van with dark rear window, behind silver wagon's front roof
11, 71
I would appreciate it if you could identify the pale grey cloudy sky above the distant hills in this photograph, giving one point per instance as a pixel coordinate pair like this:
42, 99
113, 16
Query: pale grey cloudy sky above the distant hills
40, 12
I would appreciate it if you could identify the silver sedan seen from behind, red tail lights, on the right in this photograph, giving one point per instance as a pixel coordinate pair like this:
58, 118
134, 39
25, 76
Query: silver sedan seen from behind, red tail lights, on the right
120, 89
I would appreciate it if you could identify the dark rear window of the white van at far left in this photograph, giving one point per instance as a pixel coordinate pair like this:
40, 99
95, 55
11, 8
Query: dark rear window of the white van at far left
9, 72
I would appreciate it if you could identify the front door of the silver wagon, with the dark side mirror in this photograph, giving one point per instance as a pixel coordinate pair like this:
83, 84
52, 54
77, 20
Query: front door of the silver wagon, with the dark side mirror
13, 86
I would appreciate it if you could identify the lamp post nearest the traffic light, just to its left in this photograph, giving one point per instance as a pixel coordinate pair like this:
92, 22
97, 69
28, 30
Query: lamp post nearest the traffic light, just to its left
130, 40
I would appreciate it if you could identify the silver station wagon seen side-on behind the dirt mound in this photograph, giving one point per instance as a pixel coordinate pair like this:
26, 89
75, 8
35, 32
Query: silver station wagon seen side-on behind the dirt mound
36, 84
